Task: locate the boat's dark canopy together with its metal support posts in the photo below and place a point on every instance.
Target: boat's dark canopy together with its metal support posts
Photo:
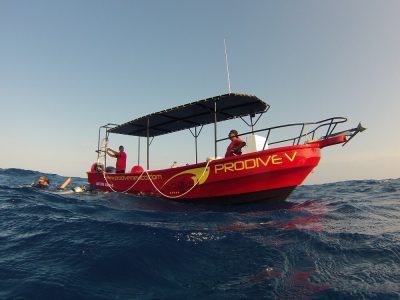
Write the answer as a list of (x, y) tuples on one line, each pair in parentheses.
[(189, 116)]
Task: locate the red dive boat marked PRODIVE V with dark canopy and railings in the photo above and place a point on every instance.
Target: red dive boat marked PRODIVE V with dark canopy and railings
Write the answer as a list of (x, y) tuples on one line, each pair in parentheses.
[(268, 169)]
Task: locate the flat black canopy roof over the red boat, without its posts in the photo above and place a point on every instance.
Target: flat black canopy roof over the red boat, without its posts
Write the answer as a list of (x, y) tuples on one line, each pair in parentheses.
[(197, 113)]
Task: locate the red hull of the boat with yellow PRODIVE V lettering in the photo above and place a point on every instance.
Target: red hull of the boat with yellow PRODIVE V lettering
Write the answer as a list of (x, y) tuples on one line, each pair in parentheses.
[(265, 175)]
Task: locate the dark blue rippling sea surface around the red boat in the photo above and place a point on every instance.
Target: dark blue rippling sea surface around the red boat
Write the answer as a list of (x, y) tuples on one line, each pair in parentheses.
[(330, 241)]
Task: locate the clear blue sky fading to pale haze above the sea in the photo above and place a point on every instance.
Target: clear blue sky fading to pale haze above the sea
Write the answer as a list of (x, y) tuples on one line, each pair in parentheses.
[(68, 67)]
